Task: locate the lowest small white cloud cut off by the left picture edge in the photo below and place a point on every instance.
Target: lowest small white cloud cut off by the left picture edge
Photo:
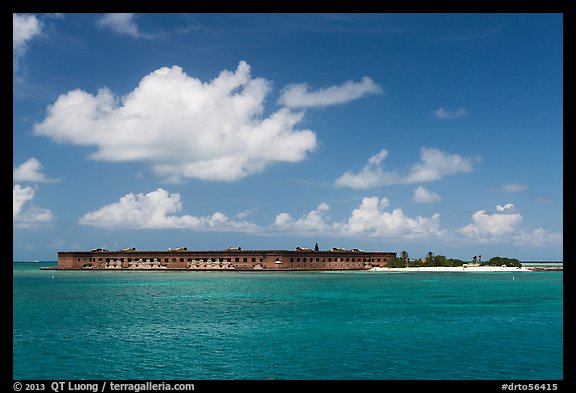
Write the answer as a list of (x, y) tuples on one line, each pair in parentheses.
[(31, 216)]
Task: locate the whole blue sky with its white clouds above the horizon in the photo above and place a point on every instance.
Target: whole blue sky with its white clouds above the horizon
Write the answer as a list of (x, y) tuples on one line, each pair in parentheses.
[(416, 132)]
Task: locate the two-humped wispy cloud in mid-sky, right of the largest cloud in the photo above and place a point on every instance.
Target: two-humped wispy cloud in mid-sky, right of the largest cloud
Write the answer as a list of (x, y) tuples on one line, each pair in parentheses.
[(434, 165)]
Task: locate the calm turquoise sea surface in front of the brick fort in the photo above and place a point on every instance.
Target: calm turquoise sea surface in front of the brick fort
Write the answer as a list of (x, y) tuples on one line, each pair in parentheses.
[(286, 325)]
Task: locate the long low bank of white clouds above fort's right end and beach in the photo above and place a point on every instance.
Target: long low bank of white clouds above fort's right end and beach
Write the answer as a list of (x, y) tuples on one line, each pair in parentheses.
[(375, 219)]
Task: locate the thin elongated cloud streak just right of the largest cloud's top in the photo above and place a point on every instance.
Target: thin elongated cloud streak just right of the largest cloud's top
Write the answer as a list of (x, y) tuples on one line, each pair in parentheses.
[(300, 95)]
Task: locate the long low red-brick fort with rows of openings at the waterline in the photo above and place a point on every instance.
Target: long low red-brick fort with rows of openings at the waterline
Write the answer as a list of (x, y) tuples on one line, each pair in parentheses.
[(229, 259)]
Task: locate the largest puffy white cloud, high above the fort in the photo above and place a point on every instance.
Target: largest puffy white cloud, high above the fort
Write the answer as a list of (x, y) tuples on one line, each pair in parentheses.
[(182, 127)]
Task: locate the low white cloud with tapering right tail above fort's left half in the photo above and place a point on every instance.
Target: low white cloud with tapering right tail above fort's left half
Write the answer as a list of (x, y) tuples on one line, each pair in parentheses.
[(156, 210)]
